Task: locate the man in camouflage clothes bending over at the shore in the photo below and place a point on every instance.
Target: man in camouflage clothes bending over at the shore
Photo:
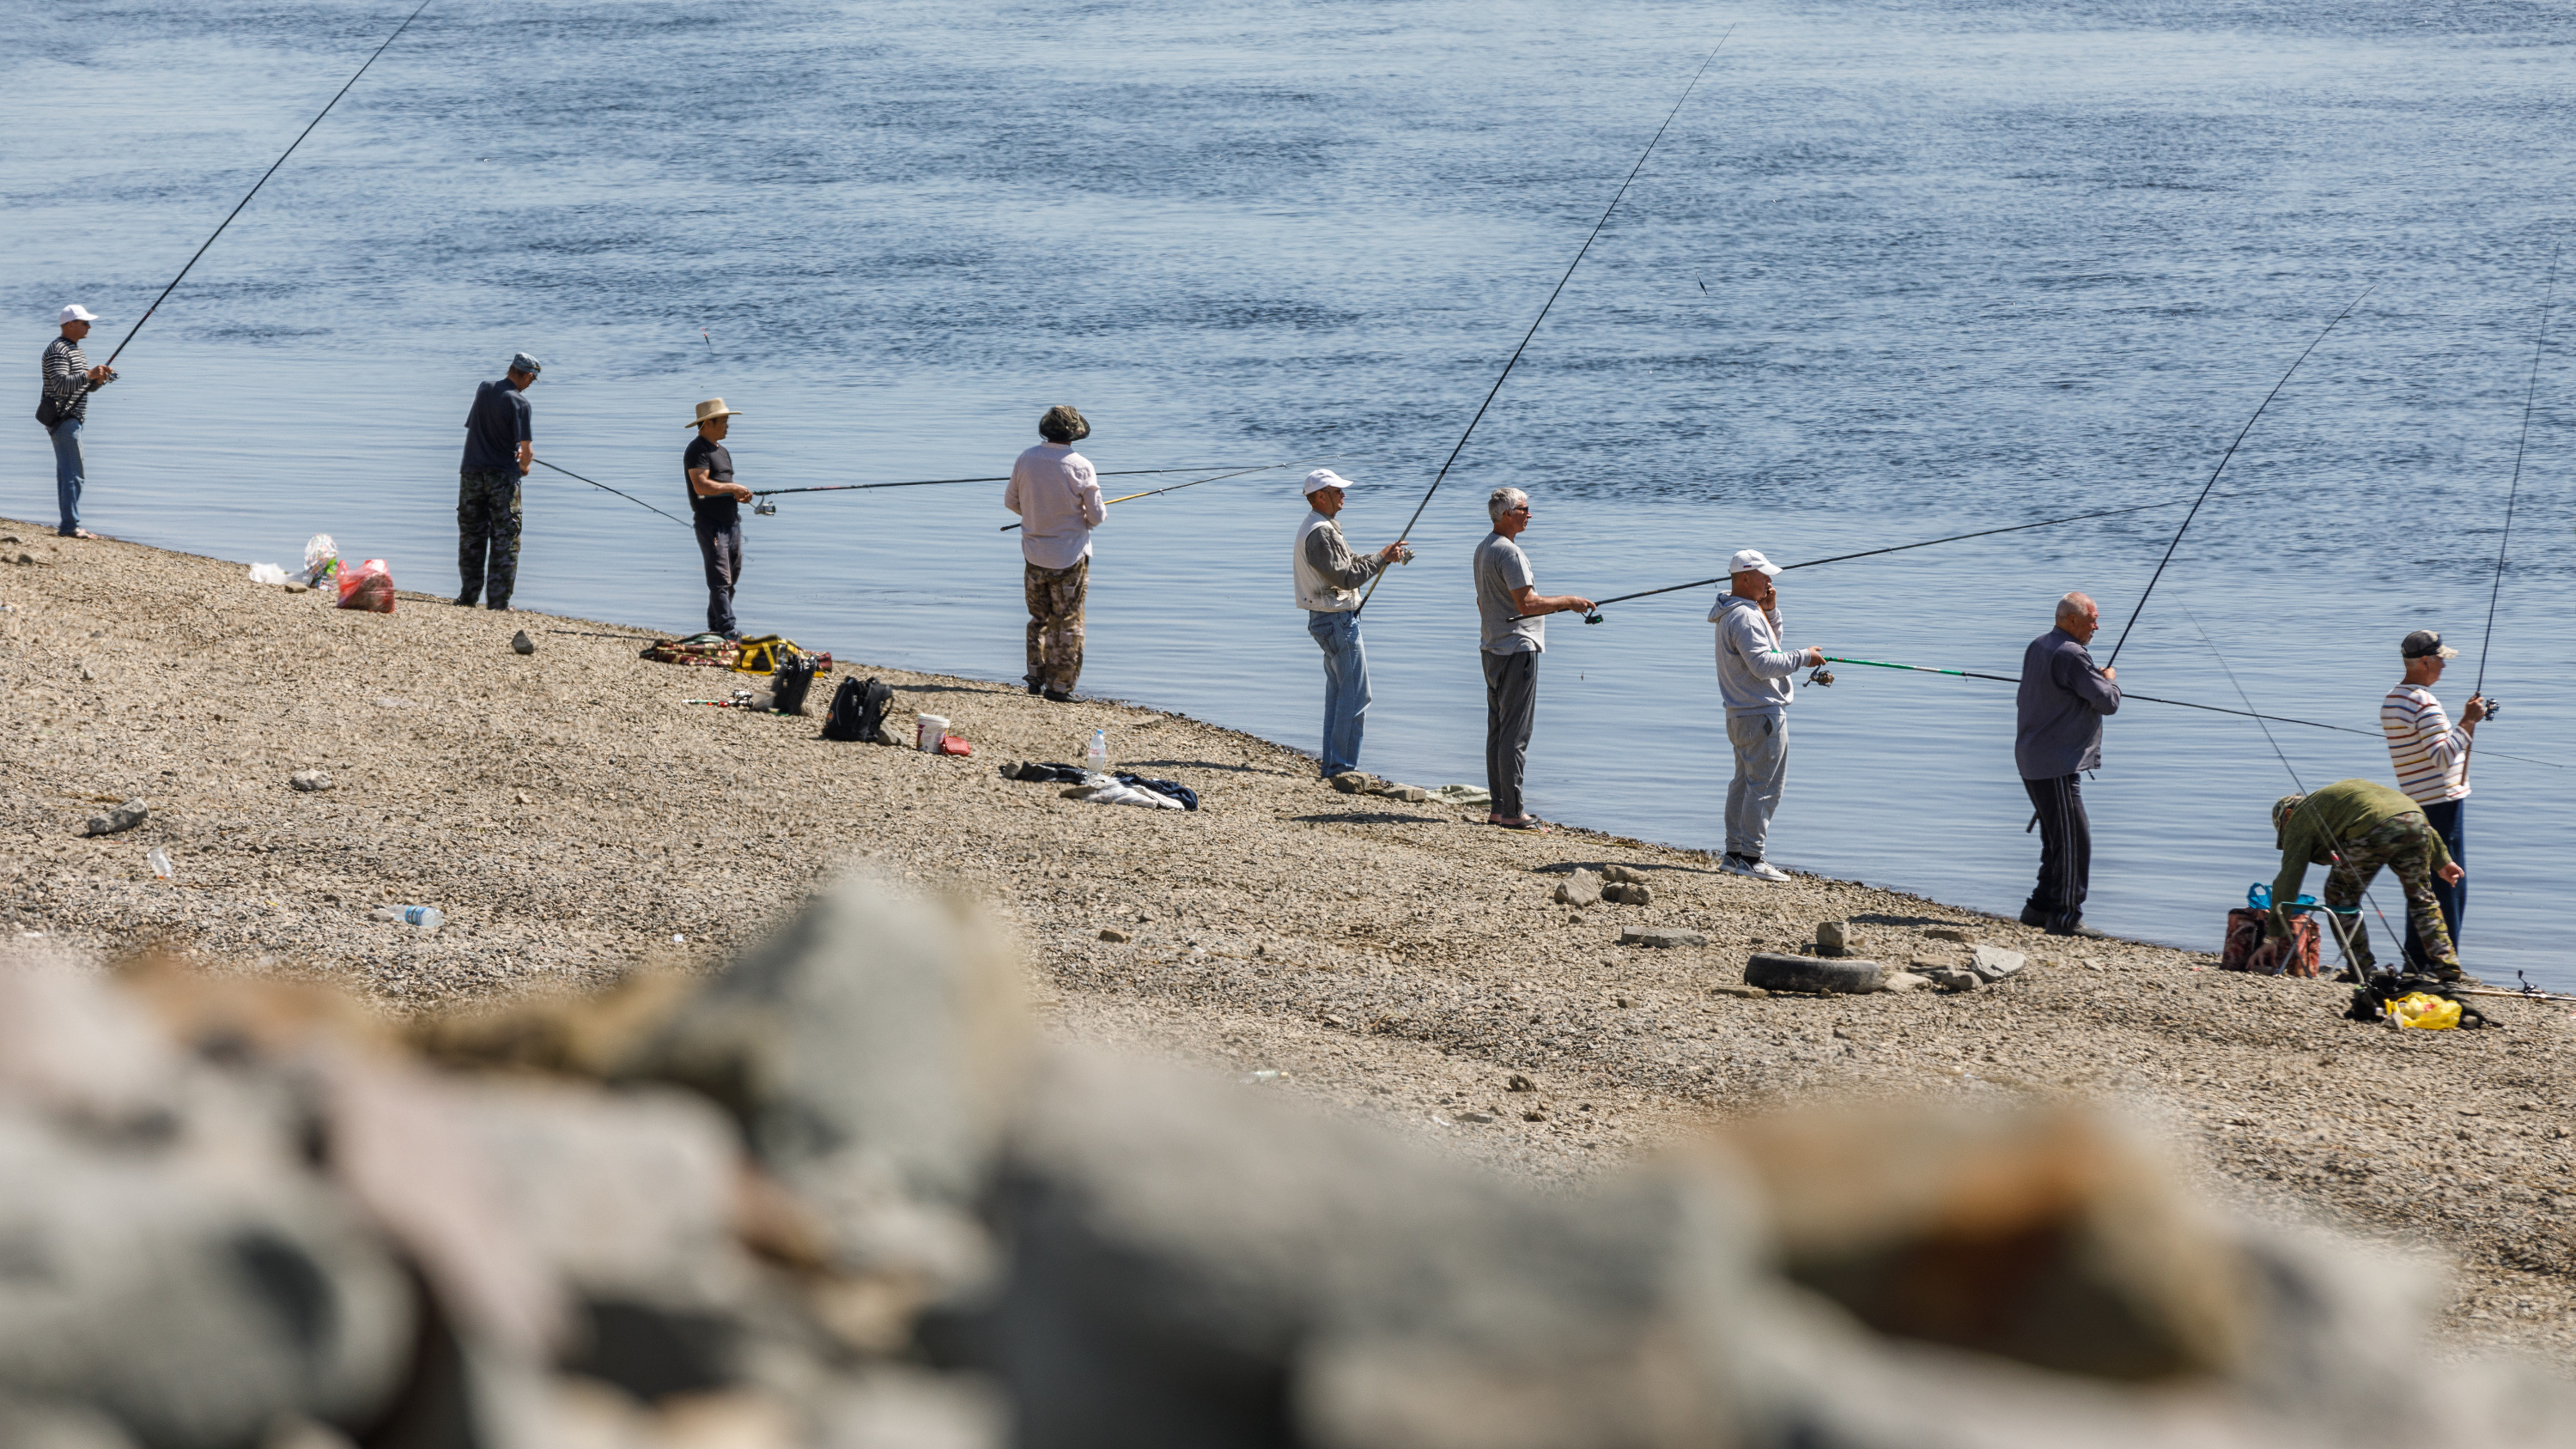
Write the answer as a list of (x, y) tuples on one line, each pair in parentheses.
[(2358, 827)]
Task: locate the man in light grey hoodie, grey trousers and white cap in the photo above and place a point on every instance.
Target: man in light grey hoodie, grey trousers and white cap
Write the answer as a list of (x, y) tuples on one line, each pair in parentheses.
[(1756, 681)]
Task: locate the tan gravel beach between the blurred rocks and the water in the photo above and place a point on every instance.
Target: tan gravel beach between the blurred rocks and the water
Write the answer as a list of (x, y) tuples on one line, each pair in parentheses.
[(576, 817)]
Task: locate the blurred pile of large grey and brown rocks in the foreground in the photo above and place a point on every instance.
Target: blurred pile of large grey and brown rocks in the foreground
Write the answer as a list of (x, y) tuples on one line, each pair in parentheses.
[(841, 1198)]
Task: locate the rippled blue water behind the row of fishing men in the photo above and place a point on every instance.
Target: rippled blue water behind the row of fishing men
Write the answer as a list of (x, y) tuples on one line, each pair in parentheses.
[(1900, 272)]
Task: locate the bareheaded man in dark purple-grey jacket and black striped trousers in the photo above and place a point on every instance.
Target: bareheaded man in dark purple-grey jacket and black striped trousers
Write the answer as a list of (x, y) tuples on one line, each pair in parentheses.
[(2062, 706)]
